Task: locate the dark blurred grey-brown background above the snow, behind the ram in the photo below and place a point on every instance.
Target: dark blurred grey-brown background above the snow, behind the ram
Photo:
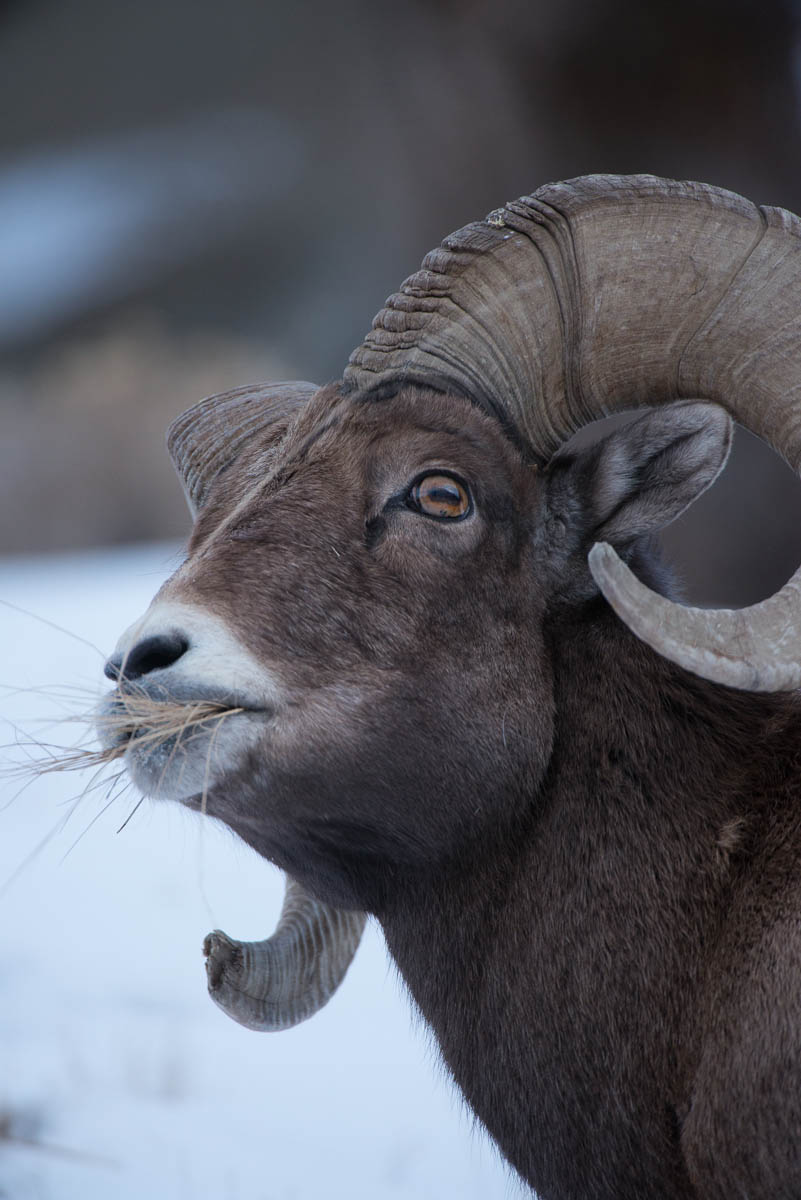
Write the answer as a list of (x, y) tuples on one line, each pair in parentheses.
[(196, 195)]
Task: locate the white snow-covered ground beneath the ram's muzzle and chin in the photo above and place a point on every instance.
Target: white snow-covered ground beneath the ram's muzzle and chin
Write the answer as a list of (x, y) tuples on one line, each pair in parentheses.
[(118, 1076)]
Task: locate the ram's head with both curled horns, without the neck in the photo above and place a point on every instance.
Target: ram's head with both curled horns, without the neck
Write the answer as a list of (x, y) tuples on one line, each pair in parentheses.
[(359, 622)]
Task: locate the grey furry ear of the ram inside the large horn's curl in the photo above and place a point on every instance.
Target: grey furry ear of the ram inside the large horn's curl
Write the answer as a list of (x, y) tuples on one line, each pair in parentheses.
[(642, 477)]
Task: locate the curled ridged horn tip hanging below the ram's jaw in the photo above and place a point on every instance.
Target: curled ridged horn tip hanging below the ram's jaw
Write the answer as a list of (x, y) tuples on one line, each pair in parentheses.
[(286, 980)]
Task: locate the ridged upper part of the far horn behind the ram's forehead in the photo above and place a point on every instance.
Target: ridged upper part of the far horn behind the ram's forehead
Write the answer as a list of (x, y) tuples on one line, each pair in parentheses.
[(208, 437)]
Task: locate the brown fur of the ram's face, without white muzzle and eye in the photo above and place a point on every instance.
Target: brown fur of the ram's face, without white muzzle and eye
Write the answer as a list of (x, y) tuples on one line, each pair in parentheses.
[(400, 640)]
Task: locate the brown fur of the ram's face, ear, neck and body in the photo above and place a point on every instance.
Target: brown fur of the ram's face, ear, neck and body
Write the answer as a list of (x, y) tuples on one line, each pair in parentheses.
[(586, 861)]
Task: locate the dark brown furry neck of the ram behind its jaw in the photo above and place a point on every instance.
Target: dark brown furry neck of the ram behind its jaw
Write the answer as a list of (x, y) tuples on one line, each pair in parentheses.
[(569, 950)]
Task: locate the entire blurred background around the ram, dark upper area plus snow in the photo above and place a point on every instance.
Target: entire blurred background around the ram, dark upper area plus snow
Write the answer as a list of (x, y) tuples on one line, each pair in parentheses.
[(196, 196)]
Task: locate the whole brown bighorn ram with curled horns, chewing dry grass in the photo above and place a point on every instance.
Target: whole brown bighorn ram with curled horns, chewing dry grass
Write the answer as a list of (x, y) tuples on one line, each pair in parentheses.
[(573, 803)]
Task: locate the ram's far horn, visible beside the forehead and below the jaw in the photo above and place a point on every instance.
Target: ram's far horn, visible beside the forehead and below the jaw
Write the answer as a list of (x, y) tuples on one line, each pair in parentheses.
[(287, 979)]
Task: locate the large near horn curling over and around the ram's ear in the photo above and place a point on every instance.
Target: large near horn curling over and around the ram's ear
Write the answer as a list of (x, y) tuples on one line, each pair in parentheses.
[(609, 293)]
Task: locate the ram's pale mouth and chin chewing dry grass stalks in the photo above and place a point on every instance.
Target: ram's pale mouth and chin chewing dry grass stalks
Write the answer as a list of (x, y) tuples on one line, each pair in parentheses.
[(177, 745)]
